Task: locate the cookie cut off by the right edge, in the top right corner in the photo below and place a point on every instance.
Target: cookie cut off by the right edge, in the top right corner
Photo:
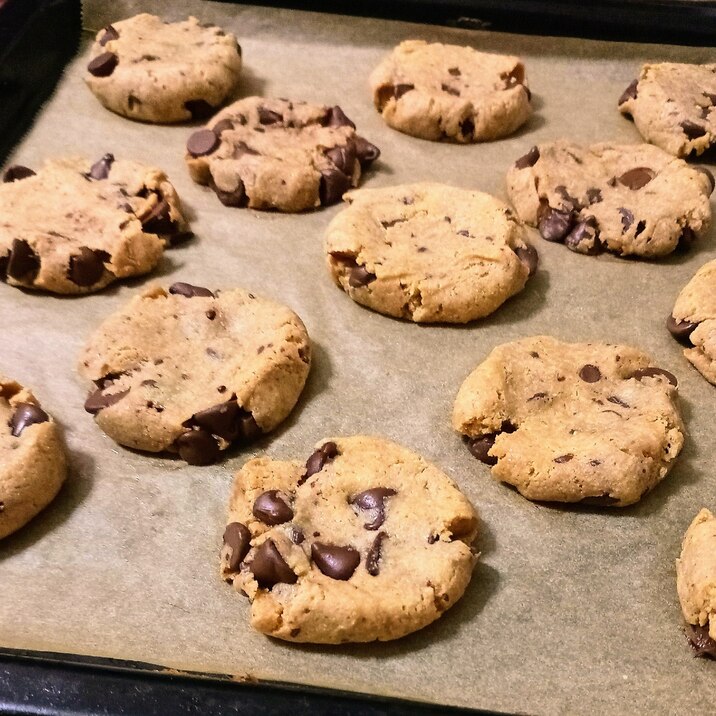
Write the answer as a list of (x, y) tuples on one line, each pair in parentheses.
[(671, 104)]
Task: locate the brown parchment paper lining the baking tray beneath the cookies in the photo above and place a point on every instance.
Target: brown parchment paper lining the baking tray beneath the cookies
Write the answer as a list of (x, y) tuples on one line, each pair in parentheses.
[(569, 611)]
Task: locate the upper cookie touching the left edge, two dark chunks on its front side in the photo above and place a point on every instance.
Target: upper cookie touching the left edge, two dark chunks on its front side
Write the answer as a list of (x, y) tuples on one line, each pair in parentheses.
[(75, 227)]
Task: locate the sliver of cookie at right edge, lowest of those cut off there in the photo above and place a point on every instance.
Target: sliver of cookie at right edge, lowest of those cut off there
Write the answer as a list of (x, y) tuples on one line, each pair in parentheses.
[(696, 583)]
